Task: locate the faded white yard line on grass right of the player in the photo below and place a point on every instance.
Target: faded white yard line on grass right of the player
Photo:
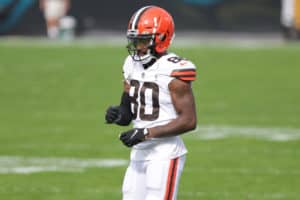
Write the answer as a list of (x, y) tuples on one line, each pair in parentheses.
[(214, 132)]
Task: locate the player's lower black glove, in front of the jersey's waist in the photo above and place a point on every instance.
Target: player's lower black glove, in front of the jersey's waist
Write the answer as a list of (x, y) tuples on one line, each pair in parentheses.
[(133, 136)]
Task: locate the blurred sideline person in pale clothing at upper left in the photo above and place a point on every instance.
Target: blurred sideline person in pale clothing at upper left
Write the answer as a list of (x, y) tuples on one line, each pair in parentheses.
[(53, 11)]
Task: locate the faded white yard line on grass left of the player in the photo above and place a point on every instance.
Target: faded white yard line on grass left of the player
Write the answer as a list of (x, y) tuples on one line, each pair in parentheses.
[(27, 165)]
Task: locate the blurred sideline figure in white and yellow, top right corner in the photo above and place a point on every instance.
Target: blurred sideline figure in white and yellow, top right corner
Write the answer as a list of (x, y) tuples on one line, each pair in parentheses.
[(290, 18)]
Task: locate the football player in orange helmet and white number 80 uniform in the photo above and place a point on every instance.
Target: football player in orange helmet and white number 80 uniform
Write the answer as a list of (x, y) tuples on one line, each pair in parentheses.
[(158, 99)]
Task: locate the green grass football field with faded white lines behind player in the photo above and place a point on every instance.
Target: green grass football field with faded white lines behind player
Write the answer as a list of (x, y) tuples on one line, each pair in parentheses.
[(53, 139)]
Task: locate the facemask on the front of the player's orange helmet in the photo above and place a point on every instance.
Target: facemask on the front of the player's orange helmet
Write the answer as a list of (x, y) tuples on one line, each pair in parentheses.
[(141, 47)]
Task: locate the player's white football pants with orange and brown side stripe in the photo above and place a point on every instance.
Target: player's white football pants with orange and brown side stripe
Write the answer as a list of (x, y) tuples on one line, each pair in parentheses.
[(153, 180)]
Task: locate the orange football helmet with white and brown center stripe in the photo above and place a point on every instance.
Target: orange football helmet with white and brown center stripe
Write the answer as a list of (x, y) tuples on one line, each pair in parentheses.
[(153, 27)]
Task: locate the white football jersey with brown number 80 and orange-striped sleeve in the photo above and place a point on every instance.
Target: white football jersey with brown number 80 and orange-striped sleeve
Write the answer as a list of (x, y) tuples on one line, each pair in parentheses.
[(151, 102)]
